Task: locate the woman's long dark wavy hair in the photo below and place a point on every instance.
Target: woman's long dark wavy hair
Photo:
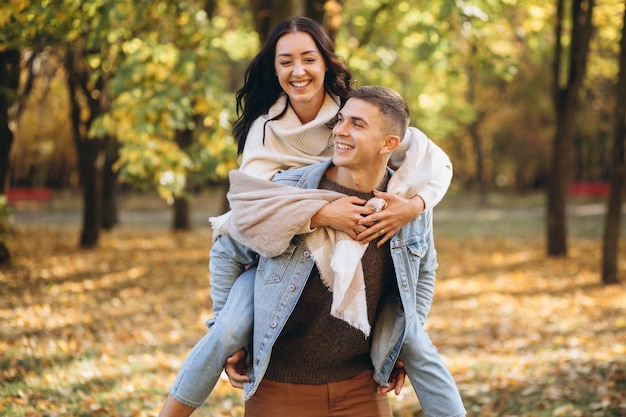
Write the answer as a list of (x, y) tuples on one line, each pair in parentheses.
[(261, 88)]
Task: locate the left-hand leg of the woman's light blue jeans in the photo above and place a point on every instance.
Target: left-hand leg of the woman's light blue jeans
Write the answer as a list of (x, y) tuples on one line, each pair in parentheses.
[(231, 331)]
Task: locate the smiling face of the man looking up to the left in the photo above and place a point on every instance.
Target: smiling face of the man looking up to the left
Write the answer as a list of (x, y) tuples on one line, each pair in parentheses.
[(358, 135)]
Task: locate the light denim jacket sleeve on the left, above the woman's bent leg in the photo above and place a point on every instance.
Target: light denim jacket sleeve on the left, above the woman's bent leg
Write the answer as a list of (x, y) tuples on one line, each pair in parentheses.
[(228, 260)]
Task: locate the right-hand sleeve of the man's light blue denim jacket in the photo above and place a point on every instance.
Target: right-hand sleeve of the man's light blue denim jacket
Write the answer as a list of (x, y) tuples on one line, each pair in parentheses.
[(425, 288)]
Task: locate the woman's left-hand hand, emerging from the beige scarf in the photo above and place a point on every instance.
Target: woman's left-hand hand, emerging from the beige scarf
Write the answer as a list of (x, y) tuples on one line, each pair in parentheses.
[(342, 214)]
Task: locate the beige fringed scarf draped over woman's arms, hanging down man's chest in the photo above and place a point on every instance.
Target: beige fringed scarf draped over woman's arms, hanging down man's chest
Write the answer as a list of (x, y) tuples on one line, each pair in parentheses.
[(268, 215)]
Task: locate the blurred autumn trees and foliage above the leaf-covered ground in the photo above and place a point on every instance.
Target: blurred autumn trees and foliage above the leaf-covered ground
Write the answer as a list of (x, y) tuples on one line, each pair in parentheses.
[(101, 97)]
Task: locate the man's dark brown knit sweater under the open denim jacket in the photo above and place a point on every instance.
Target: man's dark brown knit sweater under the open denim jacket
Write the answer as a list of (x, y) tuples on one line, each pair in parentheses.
[(315, 347)]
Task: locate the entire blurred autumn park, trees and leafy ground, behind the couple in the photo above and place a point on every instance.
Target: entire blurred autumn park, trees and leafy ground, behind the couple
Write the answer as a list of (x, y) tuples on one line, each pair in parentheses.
[(115, 145)]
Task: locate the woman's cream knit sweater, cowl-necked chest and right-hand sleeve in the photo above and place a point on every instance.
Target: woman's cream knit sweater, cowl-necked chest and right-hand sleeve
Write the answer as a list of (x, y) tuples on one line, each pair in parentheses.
[(287, 143)]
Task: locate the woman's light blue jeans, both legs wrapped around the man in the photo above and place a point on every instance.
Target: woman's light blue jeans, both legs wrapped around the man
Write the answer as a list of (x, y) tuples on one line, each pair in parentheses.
[(232, 330)]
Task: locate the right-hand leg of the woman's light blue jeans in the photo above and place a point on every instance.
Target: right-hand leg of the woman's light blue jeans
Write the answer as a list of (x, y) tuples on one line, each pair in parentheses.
[(431, 380)]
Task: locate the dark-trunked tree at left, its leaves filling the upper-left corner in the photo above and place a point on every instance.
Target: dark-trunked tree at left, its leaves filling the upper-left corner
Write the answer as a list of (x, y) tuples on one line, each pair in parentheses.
[(79, 31)]
